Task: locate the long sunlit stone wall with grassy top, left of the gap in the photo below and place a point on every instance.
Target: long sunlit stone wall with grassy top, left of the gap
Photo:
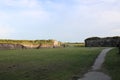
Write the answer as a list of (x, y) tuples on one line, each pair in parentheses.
[(29, 44)]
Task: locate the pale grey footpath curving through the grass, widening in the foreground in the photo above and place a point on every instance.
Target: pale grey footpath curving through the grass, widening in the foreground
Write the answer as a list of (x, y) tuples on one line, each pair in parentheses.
[(95, 74)]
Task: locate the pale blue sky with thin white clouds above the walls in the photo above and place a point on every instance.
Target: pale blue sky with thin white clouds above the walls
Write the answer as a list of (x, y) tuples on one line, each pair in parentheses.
[(62, 20)]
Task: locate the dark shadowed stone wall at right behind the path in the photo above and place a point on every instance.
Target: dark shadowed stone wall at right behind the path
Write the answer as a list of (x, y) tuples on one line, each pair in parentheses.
[(102, 42)]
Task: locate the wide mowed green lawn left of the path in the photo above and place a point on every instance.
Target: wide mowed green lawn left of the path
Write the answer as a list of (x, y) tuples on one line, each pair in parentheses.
[(46, 64)]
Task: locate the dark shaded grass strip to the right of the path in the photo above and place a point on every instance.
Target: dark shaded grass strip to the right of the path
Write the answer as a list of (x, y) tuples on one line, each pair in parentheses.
[(112, 64)]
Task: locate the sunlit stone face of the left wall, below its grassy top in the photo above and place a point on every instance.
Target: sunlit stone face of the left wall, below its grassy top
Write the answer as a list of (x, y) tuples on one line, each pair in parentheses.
[(53, 44)]
